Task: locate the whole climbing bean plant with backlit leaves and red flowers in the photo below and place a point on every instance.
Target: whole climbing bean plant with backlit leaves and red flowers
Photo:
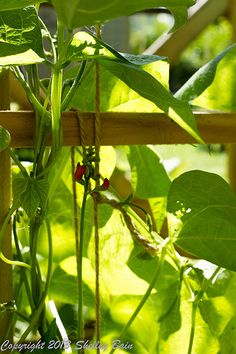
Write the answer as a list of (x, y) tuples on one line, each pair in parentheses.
[(151, 298)]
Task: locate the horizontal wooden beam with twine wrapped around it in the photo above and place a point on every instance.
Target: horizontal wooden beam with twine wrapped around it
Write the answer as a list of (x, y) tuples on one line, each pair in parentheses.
[(124, 128)]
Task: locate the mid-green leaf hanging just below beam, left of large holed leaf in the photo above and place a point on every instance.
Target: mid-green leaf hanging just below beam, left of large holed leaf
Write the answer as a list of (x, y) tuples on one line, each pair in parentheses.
[(149, 178)]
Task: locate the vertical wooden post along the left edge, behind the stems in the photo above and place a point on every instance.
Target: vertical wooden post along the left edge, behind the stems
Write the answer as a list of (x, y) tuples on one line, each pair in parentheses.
[(6, 292)]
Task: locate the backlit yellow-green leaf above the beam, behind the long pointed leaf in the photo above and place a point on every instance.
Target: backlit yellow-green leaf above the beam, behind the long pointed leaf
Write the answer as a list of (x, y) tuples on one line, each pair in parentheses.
[(117, 96)]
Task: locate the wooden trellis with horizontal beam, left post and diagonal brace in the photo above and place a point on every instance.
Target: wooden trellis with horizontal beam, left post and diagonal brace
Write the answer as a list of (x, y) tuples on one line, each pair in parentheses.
[(118, 128)]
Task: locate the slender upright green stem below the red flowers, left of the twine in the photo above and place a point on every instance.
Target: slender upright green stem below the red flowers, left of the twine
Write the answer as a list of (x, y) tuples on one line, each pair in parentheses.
[(79, 258)]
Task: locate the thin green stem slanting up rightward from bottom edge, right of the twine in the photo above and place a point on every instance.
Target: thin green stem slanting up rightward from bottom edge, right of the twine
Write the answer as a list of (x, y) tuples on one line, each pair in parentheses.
[(147, 294)]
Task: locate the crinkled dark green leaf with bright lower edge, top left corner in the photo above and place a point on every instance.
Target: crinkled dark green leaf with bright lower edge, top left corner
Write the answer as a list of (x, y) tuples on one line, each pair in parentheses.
[(20, 37)]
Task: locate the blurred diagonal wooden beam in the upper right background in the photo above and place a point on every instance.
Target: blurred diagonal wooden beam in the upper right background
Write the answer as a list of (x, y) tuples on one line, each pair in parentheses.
[(203, 13)]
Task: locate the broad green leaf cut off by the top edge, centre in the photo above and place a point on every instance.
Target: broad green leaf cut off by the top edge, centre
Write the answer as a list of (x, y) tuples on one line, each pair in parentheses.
[(77, 13)]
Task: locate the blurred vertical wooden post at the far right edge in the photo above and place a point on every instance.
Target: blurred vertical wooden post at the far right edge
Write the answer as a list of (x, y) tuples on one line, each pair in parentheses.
[(232, 147)]
